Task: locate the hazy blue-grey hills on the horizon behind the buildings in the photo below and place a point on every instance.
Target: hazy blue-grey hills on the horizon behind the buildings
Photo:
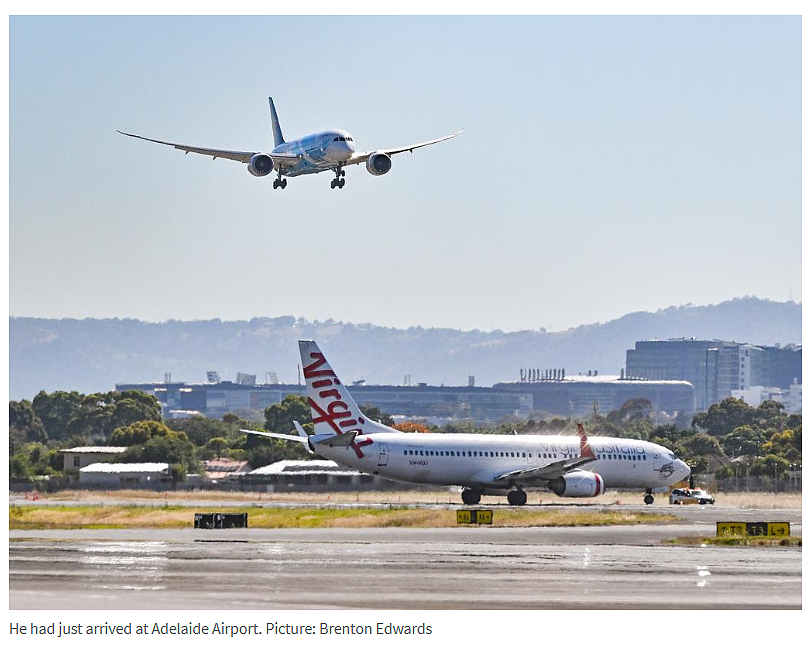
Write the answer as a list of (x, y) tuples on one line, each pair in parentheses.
[(94, 354)]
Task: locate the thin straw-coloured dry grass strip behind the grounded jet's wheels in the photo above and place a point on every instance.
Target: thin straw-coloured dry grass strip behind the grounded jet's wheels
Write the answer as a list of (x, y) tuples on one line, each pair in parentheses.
[(438, 497)]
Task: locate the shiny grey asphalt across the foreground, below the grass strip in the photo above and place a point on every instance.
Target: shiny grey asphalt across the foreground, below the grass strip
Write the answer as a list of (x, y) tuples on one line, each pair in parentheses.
[(465, 568)]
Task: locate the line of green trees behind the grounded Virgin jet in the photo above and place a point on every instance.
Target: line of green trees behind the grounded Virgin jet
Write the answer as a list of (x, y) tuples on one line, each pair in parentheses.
[(730, 438)]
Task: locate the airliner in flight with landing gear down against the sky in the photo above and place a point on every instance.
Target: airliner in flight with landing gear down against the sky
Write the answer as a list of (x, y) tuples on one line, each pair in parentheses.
[(318, 152)]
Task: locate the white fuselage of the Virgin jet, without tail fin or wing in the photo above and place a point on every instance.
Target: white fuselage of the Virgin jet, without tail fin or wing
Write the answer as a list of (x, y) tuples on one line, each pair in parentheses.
[(473, 459)]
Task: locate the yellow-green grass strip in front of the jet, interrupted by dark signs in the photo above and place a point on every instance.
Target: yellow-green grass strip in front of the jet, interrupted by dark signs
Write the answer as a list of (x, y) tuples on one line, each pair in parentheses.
[(169, 517)]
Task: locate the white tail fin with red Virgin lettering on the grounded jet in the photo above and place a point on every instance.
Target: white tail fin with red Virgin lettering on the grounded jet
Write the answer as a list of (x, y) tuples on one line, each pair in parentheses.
[(333, 409)]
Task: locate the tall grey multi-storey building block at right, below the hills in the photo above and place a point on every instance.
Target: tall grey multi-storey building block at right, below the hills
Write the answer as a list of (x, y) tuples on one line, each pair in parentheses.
[(716, 368)]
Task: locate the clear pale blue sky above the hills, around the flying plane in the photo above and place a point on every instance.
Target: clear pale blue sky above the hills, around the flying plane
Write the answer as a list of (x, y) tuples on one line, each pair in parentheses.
[(608, 165)]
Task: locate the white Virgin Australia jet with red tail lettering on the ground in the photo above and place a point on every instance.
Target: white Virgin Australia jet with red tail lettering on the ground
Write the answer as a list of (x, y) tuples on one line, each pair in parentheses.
[(481, 463)]
